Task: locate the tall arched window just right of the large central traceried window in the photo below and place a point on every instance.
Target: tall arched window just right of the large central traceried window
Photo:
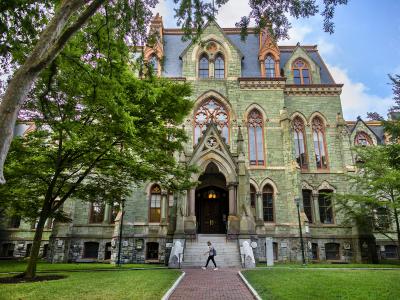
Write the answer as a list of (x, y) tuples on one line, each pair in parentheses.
[(256, 141)]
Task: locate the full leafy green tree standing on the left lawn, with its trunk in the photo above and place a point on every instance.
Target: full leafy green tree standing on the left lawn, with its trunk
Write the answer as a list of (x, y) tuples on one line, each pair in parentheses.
[(99, 129)]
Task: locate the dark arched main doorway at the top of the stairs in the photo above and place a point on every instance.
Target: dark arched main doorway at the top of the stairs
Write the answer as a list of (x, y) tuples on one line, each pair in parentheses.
[(212, 203)]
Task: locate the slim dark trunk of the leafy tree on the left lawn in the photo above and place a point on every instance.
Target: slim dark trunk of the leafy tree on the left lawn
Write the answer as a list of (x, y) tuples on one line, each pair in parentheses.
[(30, 271)]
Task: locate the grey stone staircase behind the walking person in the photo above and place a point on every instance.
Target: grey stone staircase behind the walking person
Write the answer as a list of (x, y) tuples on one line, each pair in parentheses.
[(227, 251)]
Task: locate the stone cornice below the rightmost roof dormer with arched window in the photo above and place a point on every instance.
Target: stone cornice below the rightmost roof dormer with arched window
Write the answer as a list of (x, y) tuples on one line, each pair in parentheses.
[(313, 90)]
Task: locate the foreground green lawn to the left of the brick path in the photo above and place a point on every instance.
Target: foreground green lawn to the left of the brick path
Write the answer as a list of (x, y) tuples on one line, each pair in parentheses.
[(136, 284)]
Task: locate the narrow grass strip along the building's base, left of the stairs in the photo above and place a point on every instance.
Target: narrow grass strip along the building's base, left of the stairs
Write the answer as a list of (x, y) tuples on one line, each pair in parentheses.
[(18, 266)]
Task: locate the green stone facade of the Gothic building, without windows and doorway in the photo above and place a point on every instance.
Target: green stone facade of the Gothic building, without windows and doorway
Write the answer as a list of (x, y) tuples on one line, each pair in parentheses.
[(279, 101)]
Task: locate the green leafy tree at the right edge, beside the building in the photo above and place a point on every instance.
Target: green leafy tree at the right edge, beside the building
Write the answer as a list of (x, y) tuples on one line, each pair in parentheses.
[(377, 184)]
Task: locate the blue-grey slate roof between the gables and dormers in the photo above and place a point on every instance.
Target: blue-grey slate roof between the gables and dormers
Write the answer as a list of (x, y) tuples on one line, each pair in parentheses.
[(174, 46)]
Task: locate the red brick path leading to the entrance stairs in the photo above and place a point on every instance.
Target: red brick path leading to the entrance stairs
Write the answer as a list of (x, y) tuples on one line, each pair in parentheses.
[(209, 285)]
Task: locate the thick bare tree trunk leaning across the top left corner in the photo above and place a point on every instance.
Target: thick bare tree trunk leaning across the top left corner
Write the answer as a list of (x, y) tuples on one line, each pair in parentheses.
[(51, 42)]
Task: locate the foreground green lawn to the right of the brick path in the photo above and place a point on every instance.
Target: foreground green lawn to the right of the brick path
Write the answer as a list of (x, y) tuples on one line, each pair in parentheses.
[(325, 284)]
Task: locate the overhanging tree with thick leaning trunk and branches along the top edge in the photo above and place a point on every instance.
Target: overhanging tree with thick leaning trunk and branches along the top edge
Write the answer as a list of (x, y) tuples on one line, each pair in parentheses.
[(32, 34)]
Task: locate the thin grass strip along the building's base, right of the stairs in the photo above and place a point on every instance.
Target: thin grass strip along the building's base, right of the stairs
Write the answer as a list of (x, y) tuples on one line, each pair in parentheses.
[(384, 264)]
